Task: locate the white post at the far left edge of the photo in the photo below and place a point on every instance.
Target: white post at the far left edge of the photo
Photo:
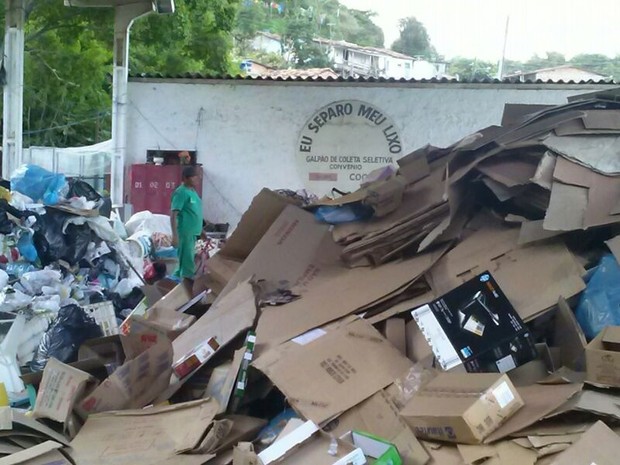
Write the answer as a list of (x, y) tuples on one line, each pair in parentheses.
[(12, 126)]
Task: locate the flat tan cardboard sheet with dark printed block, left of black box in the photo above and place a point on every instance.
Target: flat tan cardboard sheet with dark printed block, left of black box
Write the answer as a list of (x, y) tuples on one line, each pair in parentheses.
[(333, 373)]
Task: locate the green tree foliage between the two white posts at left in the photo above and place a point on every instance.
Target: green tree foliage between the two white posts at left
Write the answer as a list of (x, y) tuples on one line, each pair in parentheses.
[(67, 60)]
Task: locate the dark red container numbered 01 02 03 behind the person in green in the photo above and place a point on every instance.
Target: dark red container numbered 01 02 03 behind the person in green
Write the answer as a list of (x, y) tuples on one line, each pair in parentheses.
[(150, 187)]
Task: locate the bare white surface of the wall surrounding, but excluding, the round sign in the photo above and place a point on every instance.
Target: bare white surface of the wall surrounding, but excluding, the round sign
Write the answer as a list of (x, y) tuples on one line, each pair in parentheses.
[(246, 132)]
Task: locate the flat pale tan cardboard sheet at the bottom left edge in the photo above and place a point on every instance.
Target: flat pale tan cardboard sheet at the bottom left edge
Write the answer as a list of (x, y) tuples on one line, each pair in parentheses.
[(143, 436)]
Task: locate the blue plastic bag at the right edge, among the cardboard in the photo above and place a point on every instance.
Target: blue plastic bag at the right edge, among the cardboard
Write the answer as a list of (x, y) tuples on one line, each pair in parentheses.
[(599, 305)]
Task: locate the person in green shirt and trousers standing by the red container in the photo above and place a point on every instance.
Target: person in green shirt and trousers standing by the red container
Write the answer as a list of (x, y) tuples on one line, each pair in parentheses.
[(186, 222)]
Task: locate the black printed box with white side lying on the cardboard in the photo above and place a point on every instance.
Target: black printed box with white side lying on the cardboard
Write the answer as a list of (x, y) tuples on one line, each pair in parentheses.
[(476, 326)]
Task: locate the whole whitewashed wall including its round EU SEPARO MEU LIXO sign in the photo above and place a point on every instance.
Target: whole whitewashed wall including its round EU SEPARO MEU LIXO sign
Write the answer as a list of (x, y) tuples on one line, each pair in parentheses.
[(250, 134)]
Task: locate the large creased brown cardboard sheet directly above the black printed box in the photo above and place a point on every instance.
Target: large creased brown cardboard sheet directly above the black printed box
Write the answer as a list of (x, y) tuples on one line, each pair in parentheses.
[(532, 277)]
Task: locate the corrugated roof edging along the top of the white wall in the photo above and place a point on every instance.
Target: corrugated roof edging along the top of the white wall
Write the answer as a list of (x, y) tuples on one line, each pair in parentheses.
[(292, 76)]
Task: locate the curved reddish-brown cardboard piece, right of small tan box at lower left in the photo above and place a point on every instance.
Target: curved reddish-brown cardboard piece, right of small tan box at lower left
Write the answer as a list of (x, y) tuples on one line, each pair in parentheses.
[(135, 384)]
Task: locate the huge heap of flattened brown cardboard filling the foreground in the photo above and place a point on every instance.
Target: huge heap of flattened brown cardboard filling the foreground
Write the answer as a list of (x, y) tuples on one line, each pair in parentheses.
[(461, 309)]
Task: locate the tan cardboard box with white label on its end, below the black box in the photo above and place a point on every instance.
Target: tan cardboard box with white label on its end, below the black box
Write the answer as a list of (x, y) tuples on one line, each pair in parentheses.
[(462, 408)]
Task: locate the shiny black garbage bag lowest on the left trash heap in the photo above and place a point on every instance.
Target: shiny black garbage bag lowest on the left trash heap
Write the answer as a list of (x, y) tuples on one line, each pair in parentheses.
[(71, 328)]
